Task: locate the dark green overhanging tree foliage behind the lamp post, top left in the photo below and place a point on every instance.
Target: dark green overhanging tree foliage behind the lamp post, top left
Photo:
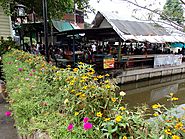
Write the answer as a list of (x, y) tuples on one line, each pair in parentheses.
[(56, 8)]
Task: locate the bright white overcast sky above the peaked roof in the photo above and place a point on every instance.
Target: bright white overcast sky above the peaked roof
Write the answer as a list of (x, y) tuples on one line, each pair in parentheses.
[(124, 9)]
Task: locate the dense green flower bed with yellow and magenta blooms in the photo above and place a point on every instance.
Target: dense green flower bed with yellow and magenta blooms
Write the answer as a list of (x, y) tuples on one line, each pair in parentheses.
[(75, 103)]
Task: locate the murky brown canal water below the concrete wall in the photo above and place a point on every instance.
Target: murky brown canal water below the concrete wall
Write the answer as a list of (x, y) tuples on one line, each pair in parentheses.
[(154, 91)]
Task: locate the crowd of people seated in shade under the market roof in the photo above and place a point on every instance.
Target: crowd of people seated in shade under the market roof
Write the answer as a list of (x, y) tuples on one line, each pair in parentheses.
[(92, 52)]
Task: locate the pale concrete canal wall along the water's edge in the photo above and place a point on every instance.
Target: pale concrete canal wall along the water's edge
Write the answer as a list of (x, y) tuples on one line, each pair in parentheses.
[(135, 75)]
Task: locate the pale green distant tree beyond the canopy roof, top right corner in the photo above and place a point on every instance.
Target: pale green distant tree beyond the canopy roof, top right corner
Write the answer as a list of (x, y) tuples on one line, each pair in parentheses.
[(173, 10)]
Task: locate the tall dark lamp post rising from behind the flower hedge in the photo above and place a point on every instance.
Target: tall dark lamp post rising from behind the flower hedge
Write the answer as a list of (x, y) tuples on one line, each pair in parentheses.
[(44, 2)]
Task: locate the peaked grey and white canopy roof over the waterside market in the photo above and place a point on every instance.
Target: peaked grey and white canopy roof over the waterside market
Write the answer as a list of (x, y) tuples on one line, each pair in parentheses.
[(135, 30)]
